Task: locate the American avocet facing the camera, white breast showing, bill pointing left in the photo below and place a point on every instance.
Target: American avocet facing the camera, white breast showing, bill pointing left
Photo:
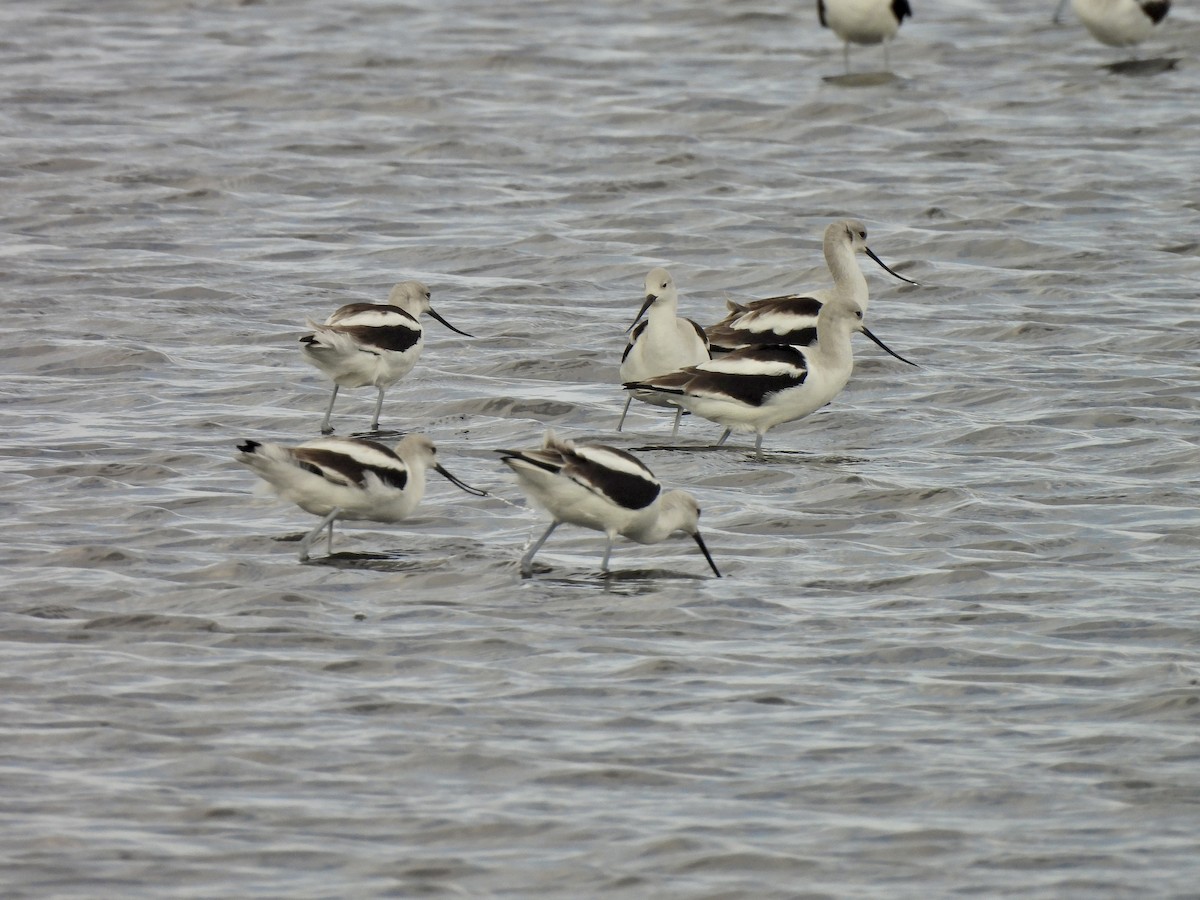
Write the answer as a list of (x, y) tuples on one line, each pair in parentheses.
[(662, 344)]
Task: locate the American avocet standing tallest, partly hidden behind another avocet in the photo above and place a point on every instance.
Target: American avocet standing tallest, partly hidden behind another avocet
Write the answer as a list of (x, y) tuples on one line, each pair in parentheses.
[(793, 319)]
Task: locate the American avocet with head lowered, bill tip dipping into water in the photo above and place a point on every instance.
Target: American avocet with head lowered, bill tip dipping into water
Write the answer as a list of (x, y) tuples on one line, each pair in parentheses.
[(605, 490)]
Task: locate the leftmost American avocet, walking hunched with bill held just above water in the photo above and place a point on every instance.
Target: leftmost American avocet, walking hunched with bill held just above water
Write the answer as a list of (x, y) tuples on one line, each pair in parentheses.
[(349, 478)]
